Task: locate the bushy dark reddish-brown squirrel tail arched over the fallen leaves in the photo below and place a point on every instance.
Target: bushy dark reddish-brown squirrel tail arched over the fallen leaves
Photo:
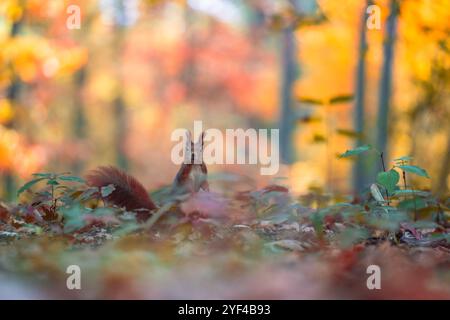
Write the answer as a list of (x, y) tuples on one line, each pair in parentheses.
[(128, 192)]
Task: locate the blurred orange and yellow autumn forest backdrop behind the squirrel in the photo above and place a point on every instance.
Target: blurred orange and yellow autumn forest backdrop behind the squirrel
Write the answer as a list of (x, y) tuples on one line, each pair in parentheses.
[(112, 91)]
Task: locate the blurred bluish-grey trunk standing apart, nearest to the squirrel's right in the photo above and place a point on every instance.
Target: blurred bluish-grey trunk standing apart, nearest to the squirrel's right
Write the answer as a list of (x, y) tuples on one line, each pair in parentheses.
[(288, 71)]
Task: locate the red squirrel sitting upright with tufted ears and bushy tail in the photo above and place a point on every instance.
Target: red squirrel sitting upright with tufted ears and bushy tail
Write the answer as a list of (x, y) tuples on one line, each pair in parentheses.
[(131, 194)]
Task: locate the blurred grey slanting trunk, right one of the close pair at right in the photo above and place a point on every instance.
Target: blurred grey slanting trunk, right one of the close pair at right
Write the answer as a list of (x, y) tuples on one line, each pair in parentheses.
[(386, 79)]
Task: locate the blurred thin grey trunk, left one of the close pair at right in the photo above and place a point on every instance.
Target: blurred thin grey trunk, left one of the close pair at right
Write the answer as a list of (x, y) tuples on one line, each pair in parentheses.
[(359, 179)]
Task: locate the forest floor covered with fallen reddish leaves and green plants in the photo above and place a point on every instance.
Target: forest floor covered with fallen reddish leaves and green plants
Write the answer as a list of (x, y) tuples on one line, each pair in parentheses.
[(261, 244)]
